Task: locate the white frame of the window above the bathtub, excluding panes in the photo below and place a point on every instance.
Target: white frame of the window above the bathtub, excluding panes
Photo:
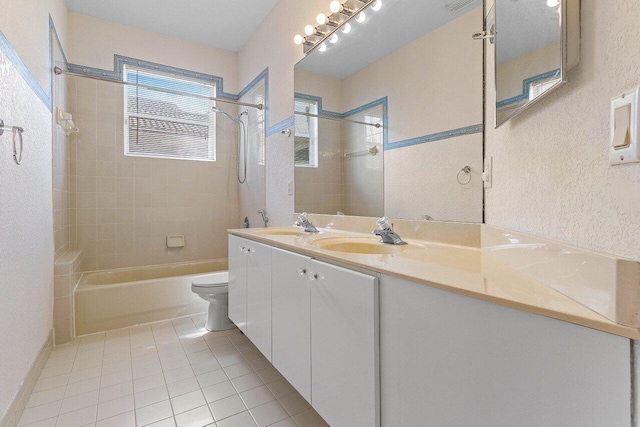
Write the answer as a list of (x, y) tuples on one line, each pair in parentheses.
[(212, 116)]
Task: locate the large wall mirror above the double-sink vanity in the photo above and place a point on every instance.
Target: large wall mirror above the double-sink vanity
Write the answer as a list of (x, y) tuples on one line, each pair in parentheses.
[(389, 118)]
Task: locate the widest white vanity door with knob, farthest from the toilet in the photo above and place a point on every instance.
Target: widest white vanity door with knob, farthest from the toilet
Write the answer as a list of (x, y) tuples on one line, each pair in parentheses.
[(344, 346)]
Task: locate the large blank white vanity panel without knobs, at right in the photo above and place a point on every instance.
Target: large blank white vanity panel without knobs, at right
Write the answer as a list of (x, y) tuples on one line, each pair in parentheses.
[(451, 360)]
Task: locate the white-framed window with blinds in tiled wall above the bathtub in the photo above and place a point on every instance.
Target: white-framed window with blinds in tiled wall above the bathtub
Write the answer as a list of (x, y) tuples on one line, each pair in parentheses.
[(168, 125)]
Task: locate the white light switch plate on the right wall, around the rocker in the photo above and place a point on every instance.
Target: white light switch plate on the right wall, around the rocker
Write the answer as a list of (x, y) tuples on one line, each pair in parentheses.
[(630, 153)]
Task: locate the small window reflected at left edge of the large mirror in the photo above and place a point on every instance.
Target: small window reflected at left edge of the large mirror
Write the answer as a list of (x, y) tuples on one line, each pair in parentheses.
[(306, 135)]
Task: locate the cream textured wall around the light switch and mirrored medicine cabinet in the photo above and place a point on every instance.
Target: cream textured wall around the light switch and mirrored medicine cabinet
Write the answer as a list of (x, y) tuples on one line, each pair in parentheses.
[(551, 175)]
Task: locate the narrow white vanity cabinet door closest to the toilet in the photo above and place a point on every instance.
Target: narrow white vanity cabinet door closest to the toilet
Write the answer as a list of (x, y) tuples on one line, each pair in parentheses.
[(238, 282)]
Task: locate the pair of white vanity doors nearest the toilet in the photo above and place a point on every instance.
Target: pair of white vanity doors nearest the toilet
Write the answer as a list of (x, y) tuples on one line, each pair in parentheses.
[(250, 291)]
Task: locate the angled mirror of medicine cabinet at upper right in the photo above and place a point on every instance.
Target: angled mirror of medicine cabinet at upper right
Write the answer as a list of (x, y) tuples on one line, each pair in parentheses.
[(537, 42)]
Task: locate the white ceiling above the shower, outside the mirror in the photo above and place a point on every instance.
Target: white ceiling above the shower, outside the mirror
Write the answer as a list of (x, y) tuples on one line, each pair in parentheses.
[(223, 24)]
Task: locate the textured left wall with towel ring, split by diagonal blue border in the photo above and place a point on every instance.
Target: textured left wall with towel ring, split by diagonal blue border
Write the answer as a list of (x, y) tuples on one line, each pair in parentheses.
[(26, 220)]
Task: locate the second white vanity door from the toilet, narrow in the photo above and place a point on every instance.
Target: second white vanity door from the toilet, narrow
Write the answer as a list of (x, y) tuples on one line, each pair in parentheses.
[(259, 296)]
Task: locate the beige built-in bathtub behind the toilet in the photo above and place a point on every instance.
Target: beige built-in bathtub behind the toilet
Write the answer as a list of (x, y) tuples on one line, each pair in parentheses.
[(123, 297)]
